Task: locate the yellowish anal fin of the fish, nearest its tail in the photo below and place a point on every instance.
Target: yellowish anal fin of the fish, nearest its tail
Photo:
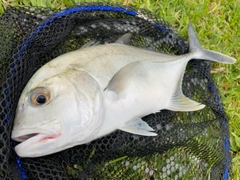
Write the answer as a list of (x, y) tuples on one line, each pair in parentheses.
[(179, 102)]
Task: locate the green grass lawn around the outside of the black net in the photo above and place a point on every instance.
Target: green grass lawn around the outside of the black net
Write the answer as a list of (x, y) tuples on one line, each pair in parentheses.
[(217, 25)]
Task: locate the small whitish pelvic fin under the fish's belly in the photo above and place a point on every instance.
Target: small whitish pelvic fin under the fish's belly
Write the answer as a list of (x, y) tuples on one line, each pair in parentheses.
[(138, 126)]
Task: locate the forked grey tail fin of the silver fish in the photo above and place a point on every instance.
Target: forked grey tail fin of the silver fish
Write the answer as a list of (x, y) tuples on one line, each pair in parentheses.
[(200, 53)]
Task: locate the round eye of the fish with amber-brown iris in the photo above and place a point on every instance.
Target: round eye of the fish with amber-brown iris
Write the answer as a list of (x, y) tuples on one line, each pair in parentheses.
[(40, 96)]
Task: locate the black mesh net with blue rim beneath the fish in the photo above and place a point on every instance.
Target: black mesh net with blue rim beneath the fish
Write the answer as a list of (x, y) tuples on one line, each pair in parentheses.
[(189, 145)]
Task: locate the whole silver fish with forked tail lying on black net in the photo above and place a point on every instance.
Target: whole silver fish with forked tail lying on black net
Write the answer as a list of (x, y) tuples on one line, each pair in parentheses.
[(91, 92)]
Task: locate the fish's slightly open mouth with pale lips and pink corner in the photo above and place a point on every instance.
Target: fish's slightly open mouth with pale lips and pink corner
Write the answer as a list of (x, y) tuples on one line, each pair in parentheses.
[(35, 141)]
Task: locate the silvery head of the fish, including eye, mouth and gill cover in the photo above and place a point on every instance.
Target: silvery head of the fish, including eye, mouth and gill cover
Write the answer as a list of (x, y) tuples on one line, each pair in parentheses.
[(58, 113)]
